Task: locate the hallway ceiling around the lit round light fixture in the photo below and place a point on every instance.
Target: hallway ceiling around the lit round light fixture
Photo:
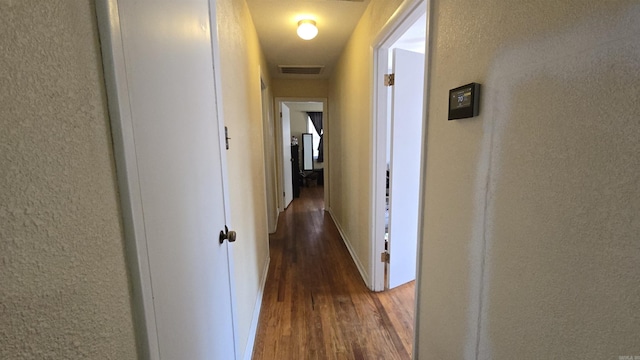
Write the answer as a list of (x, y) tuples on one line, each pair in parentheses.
[(276, 22)]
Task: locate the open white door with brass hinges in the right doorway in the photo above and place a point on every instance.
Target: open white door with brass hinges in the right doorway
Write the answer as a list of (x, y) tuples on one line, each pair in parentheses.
[(404, 166)]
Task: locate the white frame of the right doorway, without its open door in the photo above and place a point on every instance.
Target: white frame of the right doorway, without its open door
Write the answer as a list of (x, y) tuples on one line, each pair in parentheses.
[(408, 12)]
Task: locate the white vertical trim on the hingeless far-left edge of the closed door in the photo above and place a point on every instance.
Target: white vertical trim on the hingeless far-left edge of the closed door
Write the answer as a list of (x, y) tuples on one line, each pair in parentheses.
[(115, 77)]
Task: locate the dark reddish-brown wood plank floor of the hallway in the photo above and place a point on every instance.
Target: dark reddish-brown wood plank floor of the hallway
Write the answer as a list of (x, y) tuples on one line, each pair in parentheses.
[(315, 304)]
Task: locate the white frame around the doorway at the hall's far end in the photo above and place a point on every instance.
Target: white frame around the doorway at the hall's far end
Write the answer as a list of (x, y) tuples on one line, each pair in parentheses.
[(279, 141)]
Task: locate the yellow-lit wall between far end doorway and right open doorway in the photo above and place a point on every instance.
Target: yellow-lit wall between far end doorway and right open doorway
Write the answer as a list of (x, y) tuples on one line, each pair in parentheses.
[(350, 131)]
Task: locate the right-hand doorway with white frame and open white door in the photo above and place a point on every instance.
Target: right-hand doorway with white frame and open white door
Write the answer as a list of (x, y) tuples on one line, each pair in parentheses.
[(398, 146)]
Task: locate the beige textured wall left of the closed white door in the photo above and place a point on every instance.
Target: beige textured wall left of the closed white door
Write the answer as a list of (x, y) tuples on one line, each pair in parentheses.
[(64, 292)]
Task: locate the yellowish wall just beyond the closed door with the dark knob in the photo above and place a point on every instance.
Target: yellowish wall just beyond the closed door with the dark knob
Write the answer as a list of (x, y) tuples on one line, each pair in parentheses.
[(242, 61)]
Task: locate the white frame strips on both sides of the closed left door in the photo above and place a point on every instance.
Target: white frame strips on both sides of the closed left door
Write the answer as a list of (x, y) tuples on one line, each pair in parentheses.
[(113, 58)]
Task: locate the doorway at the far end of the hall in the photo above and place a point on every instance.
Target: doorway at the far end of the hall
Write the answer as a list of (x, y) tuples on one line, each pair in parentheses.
[(293, 123)]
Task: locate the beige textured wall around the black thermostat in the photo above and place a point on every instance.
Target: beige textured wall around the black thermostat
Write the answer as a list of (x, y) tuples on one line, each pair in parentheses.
[(531, 245)]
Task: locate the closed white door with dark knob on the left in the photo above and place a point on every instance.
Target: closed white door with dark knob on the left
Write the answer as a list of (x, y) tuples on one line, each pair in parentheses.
[(169, 67)]
